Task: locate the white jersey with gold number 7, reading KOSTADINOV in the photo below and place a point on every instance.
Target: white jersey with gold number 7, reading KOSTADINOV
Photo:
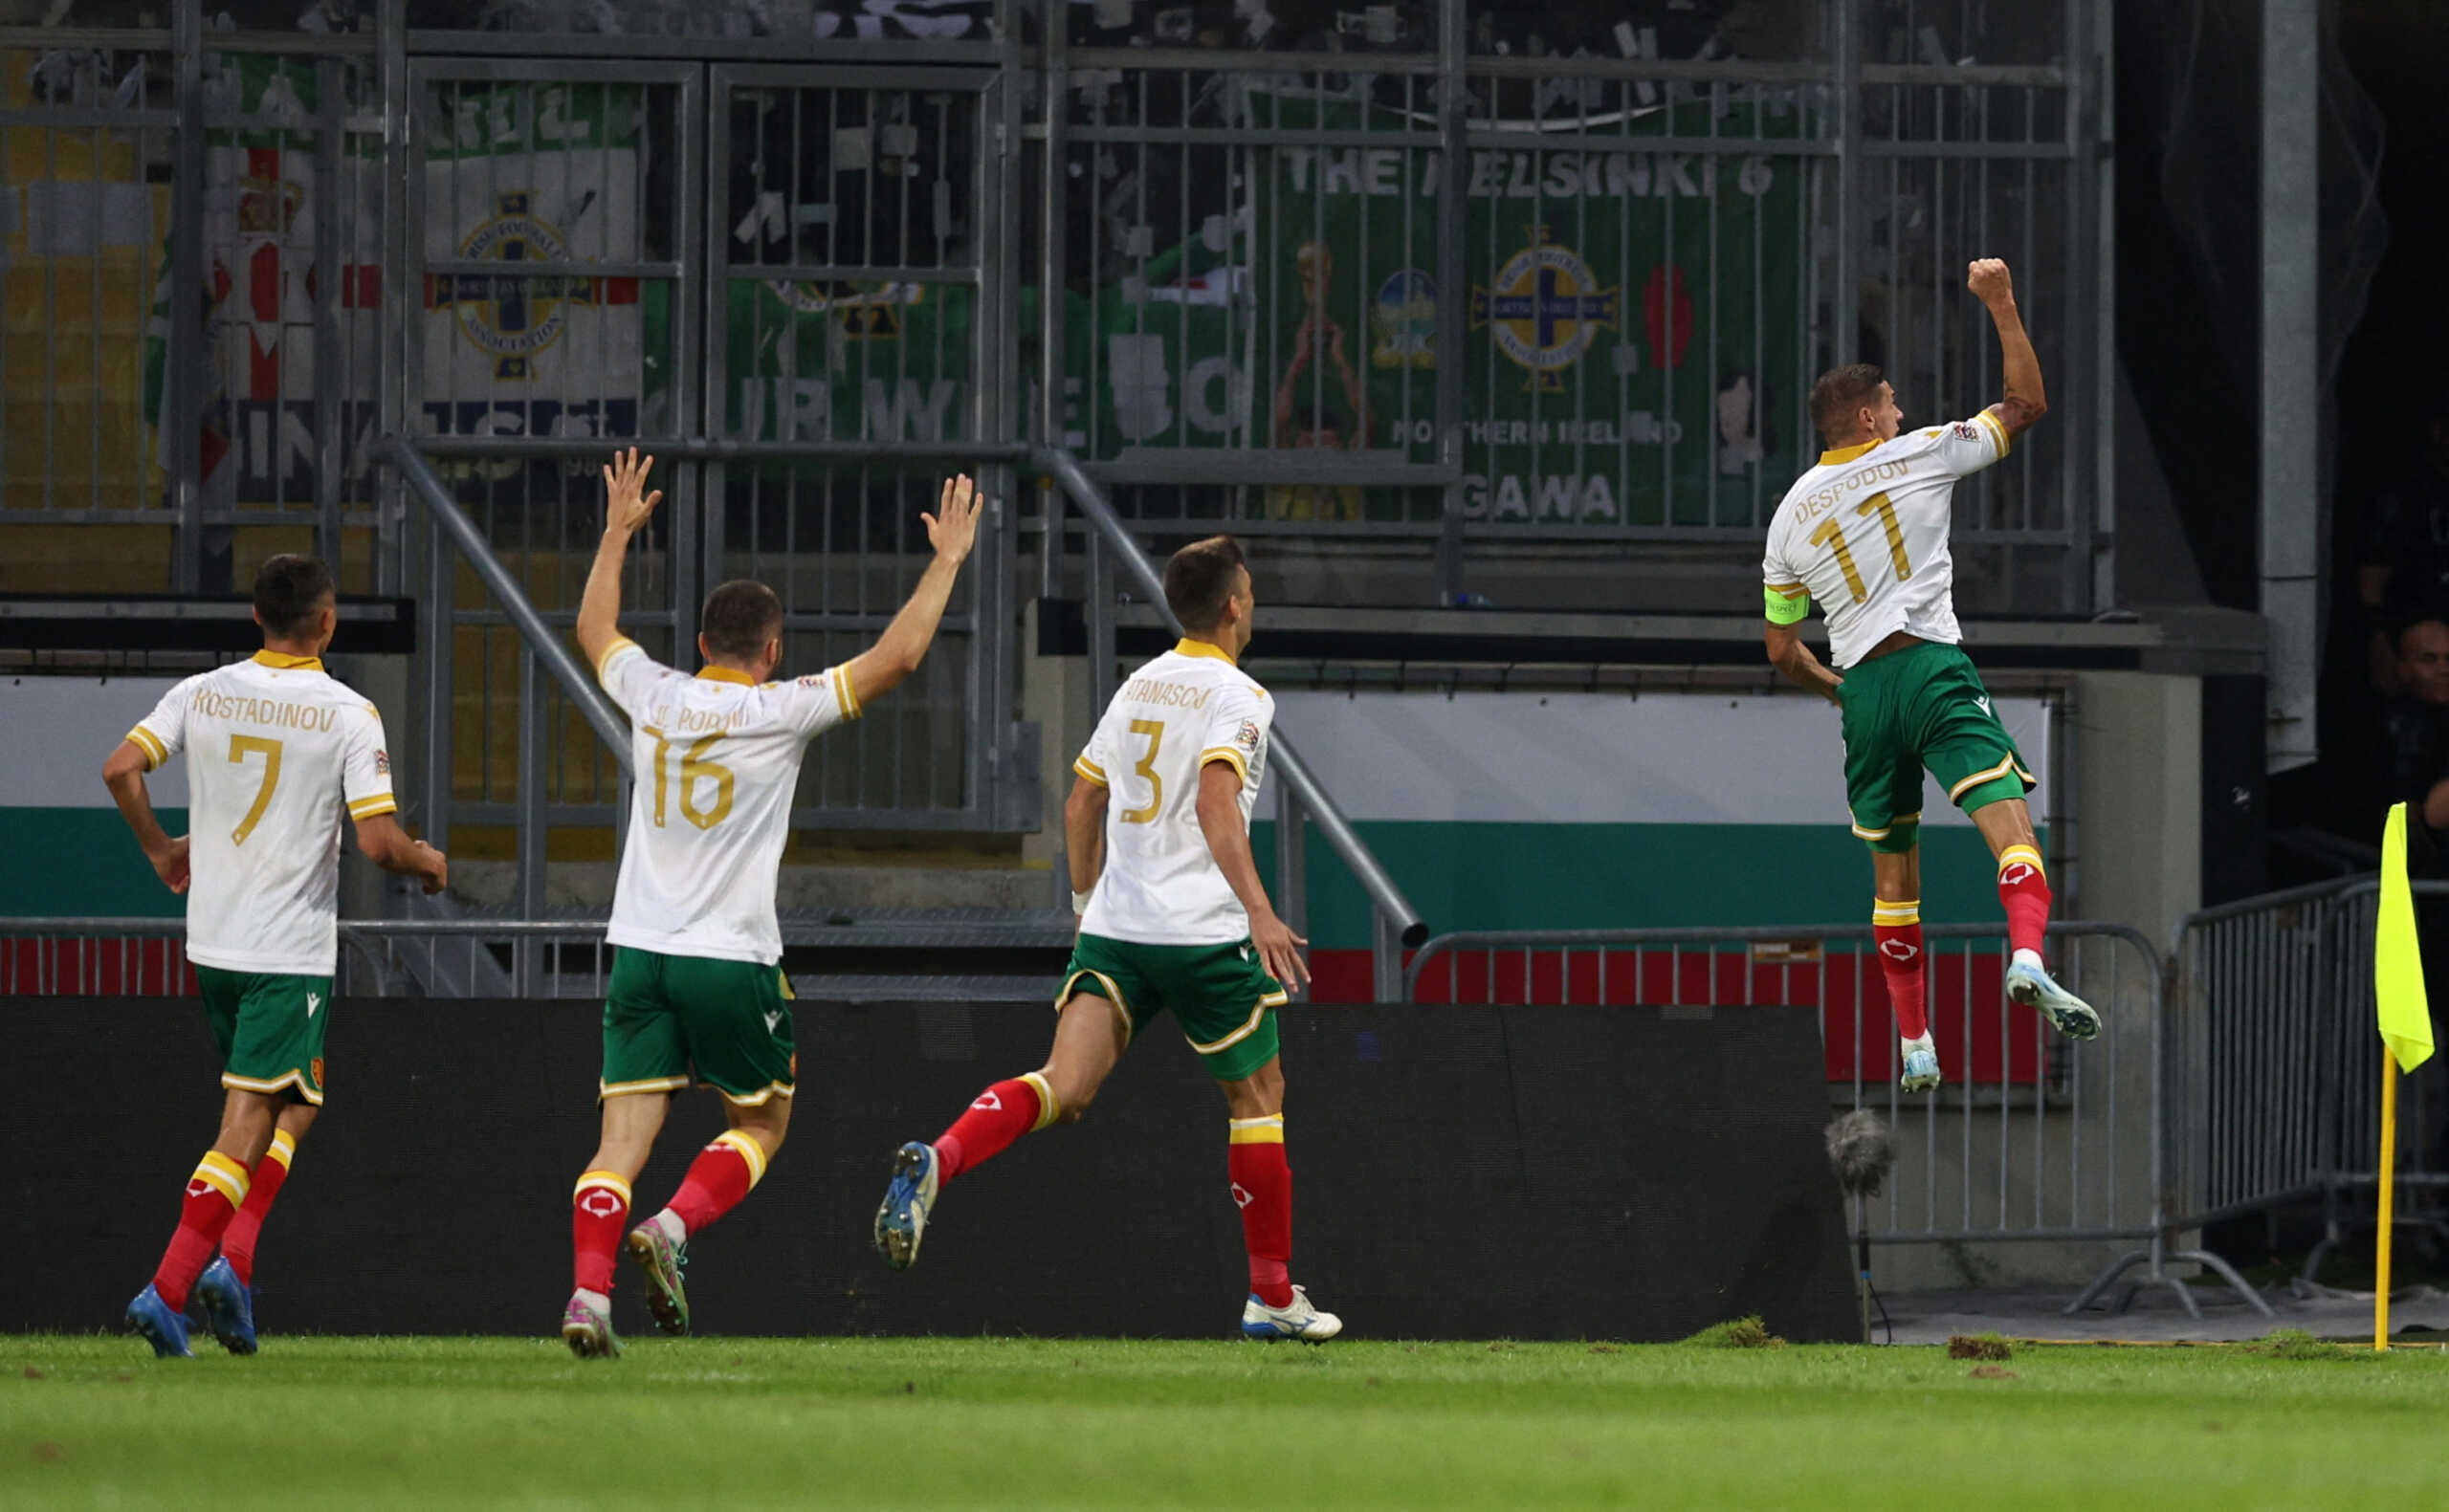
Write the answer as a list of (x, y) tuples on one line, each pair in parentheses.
[(278, 755)]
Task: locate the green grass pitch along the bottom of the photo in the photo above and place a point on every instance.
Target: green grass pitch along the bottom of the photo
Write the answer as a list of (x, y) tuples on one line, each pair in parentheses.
[(1008, 1423)]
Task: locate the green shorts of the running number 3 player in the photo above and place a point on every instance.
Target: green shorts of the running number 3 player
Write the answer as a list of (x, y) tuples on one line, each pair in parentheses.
[(1221, 995)]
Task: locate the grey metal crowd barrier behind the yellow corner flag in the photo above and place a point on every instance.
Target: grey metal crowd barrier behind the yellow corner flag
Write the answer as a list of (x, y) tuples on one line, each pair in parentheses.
[(2279, 1100)]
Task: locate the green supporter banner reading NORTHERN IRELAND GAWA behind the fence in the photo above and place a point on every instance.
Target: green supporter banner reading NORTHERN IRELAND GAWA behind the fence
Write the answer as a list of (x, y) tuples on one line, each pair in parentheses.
[(1630, 319)]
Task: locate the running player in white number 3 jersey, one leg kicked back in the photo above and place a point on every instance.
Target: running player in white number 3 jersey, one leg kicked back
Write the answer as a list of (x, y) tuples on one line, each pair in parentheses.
[(1174, 916)]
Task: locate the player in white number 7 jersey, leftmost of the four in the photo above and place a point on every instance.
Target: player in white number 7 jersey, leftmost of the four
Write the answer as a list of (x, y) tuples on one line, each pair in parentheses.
[(278, 755)]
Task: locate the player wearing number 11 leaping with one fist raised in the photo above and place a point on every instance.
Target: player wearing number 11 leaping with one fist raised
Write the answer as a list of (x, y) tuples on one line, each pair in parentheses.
[(1865, 532)]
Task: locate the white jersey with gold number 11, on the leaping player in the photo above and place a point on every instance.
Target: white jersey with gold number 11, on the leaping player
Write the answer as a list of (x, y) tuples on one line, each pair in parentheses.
[(1867, 535)]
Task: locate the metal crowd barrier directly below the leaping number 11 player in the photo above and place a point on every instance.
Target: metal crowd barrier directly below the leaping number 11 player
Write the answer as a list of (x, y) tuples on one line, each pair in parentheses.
[(2031, 1139)]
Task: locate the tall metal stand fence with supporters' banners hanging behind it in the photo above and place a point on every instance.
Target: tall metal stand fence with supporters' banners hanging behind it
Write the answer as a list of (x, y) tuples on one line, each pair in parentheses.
[(1414, 280)]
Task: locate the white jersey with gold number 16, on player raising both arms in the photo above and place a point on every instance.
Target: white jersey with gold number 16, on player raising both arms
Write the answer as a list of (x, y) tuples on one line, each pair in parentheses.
[(716, 765)]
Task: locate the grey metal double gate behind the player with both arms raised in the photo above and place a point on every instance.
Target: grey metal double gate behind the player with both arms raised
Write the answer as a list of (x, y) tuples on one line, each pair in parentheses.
[(802, 361)]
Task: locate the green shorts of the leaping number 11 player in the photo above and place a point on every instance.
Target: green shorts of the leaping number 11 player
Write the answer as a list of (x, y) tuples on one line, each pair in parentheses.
[(1916, 708)]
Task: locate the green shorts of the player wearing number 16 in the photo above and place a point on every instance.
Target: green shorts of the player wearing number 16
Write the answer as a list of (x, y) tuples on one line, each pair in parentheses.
[(680, 1021)]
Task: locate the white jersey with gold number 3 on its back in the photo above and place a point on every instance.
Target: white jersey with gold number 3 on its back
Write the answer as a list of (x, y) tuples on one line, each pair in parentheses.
[(1179, 713)]
